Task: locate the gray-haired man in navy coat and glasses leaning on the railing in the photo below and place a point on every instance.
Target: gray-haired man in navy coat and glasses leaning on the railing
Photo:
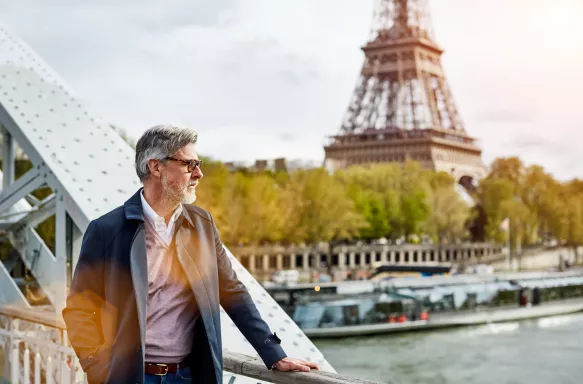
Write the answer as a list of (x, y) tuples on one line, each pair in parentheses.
[(151, 274)]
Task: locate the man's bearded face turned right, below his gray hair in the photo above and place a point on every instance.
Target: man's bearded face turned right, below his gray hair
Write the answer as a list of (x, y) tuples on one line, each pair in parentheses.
[(179, 185)]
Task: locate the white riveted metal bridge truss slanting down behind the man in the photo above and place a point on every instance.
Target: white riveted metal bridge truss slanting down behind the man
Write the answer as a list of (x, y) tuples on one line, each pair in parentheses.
[(89, 169)]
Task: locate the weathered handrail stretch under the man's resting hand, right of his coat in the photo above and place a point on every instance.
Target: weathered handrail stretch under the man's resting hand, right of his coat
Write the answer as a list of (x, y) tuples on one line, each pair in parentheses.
[(254, 368)]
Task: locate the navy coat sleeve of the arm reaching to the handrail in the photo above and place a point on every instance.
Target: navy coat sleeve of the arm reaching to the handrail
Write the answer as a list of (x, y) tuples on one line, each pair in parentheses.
[(237, 302)]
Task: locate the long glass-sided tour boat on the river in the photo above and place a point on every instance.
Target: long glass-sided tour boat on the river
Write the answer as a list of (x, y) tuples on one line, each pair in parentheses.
[(397, 305)]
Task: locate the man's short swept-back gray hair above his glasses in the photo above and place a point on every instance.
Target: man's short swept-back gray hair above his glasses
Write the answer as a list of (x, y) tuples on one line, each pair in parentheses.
[(158, 143)]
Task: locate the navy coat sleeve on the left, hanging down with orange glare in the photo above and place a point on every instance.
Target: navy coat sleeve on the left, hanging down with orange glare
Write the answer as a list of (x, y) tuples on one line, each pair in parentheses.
[(86, 299)]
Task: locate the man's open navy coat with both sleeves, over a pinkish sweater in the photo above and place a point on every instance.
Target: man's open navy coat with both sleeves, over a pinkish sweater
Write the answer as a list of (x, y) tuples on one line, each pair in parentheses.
[(107, 304)]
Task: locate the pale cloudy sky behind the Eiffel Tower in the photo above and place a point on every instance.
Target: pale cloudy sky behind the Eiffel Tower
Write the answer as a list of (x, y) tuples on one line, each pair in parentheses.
[(261, 79)]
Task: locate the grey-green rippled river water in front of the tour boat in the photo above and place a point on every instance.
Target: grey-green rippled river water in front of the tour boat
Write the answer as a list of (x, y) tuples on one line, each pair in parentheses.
[(542, 351)]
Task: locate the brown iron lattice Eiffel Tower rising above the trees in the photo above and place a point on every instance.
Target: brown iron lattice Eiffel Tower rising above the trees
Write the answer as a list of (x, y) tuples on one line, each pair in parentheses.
[(402, 107)]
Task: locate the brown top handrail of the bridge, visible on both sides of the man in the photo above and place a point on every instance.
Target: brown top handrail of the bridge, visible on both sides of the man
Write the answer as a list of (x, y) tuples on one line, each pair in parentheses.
[(235, 363)]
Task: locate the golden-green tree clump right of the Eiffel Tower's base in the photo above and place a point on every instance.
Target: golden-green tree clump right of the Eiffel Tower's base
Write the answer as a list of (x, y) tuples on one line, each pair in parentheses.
[(539, 207)]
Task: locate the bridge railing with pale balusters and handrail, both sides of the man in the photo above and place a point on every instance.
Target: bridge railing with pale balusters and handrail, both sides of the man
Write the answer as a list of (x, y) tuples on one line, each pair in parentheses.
[(36, 350)]
